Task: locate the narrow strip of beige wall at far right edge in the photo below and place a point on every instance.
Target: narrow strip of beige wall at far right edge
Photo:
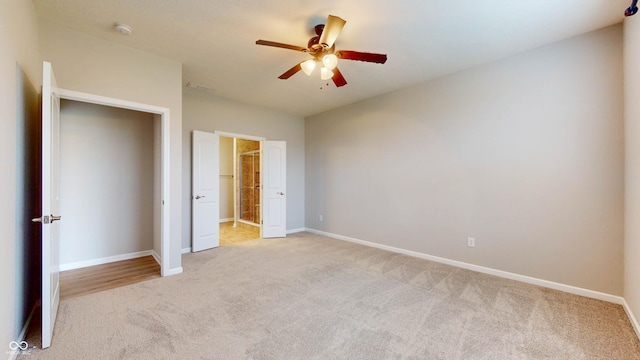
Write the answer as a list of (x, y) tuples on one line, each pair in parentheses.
[(632, 158)]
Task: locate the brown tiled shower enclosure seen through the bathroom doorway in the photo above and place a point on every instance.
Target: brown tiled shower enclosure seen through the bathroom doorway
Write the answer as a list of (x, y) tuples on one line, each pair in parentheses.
[(250, 186)]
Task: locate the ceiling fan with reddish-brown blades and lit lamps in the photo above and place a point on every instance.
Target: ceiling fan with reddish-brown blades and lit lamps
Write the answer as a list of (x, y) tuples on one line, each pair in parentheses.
[(322, 48)]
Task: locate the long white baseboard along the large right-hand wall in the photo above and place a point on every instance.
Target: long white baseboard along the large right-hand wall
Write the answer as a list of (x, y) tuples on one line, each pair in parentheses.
[(503, 274)]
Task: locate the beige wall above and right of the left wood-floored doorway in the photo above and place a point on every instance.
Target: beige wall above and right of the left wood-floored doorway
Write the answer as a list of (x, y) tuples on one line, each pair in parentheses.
[(88, 64)]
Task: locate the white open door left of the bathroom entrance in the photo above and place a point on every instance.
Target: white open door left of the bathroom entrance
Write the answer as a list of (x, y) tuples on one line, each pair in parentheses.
[(205, 208)]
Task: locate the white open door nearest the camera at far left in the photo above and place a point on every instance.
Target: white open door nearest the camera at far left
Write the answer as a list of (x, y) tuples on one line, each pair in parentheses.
[(50, 203)]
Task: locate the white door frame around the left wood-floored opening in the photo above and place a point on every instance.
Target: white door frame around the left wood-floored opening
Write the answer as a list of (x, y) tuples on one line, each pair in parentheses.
[(165, 159)]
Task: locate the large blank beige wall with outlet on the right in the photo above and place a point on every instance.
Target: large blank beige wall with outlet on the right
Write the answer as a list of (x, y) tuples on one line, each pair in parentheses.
[(524, 154)]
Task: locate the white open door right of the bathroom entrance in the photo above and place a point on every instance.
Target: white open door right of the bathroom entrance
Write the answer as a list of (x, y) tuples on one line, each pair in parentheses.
[(274, 186)]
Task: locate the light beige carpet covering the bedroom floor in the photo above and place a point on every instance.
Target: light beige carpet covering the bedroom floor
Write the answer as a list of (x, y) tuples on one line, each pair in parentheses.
[(311, 297)]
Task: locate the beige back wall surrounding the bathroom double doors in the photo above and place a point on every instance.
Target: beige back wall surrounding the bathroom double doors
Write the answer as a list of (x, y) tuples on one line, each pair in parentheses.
[(207, 112)]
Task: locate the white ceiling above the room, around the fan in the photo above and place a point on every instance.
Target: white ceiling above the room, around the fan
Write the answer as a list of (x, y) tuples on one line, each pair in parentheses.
[(424, 39)]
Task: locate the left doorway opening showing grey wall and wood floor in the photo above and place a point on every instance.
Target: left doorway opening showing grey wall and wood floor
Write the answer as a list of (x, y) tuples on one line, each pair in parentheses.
[(112, 149)]
